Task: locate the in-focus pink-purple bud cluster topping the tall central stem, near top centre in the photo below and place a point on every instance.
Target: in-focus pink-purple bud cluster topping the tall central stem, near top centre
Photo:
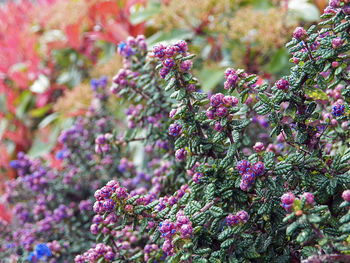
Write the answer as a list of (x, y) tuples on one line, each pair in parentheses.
[(167, 54)]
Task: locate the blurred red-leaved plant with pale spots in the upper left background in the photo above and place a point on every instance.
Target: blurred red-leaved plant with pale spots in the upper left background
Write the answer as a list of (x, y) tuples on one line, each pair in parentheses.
[(48, 48)]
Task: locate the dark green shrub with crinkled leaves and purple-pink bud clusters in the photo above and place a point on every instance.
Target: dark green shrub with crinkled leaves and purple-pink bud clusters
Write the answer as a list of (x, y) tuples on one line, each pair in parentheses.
[(256, 173)]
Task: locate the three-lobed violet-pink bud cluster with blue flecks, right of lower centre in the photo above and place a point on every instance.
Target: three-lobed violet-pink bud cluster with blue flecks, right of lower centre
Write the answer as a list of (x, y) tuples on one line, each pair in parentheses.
[(249, 173)]
